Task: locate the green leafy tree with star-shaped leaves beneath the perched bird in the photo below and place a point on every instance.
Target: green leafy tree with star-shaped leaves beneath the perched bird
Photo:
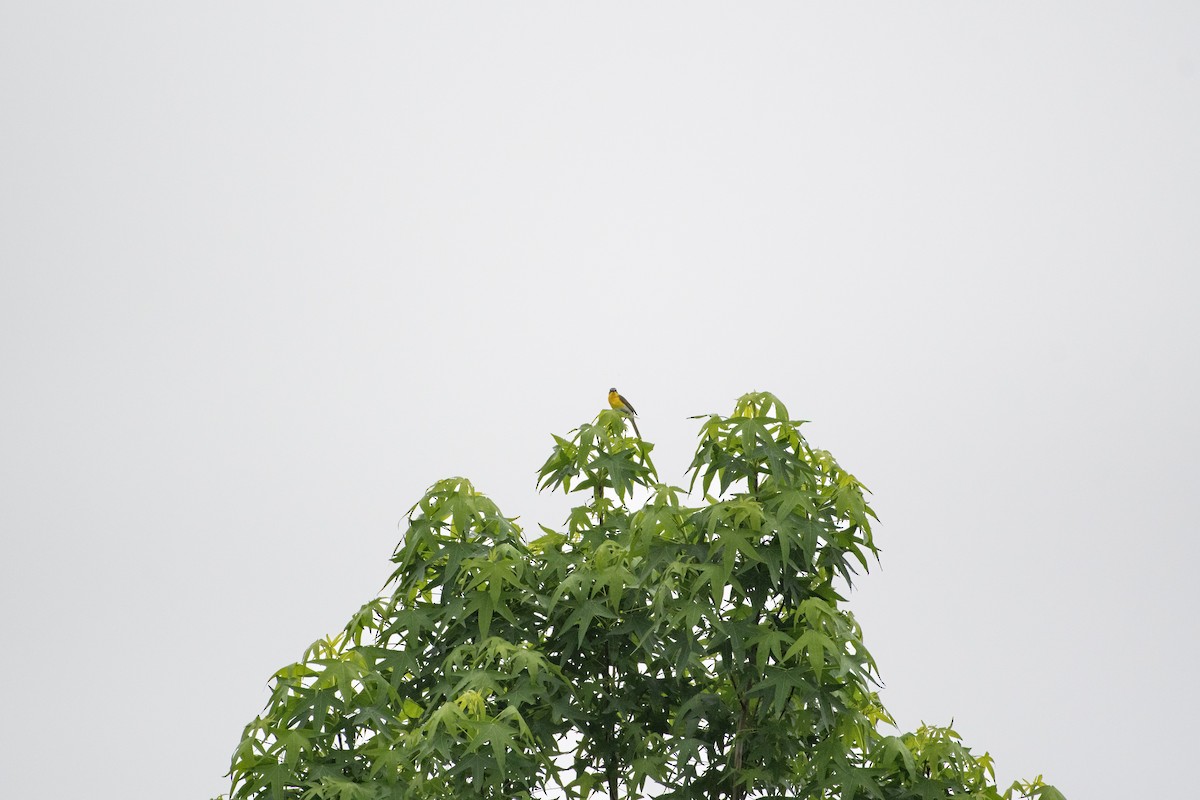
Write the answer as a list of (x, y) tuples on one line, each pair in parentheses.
[(663, 651)]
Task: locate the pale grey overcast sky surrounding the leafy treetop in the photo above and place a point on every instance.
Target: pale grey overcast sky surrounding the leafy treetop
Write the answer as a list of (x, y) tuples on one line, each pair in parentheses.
[(269, 270)]
